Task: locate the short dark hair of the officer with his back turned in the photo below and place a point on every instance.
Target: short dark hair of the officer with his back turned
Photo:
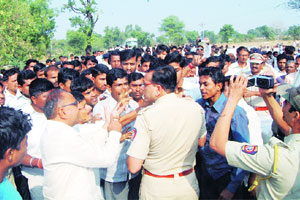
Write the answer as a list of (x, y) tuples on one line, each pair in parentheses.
[(166, 77)]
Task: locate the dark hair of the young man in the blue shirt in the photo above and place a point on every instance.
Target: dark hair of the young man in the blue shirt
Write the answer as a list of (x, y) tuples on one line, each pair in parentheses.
[(215, 74)]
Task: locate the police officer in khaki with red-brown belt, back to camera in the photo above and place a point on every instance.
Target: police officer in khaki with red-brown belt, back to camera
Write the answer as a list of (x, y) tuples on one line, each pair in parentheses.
[(167, 135)]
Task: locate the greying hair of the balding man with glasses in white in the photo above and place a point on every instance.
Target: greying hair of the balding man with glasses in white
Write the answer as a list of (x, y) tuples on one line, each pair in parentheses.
[(52, 101)]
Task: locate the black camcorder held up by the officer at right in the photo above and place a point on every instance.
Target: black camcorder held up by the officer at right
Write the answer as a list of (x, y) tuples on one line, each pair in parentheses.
[(265, 82)]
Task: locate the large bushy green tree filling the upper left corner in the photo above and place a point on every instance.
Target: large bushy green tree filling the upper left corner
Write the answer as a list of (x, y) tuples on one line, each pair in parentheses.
[(25, 30)]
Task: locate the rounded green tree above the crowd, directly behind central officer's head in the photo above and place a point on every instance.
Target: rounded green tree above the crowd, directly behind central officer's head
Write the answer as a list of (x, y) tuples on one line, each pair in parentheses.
[(174, 30)]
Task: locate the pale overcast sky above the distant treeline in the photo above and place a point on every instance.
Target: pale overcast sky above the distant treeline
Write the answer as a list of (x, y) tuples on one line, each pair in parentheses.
[(212, 14)]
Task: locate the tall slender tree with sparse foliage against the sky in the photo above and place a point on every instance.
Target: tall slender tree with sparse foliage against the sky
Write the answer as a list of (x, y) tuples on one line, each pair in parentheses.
[(87, 19)]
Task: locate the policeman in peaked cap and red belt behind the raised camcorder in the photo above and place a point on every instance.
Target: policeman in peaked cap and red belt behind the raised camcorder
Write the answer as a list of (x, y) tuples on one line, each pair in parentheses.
[(253, 98)]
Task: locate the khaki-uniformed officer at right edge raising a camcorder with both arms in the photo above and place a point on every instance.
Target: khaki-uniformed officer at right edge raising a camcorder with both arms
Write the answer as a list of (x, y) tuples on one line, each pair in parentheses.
[(276, 163)]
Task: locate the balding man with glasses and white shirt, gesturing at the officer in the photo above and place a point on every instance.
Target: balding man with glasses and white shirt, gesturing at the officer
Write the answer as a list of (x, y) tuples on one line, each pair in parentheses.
[(70, 158)]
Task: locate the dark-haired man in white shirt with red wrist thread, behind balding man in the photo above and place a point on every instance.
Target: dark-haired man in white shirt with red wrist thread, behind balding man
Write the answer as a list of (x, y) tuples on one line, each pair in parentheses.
[(39, 90)]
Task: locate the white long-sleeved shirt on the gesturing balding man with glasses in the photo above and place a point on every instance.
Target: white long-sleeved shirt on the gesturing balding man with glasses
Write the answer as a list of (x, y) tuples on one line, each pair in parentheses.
[(70, 160)]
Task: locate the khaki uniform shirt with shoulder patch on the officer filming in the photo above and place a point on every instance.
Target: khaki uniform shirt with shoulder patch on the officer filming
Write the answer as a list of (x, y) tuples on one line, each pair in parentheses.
[(285, 182)]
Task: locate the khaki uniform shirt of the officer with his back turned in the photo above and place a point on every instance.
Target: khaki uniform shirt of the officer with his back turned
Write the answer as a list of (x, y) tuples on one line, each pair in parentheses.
[(167, 134)]
